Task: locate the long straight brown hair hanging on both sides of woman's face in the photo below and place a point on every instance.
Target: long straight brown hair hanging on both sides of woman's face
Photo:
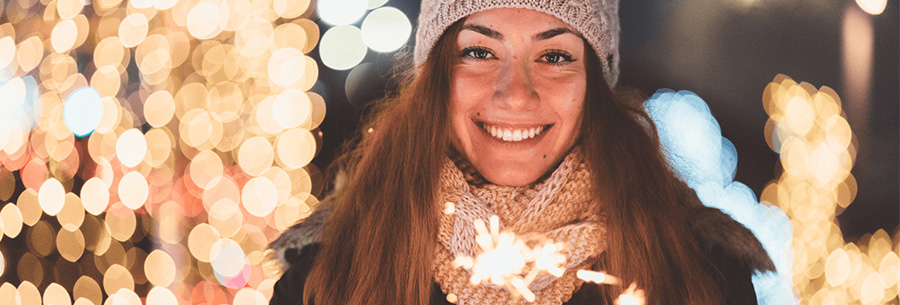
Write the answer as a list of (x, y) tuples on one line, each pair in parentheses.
[(378, 244)]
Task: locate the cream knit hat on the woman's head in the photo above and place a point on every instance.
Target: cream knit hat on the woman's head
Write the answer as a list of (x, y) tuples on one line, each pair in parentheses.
[(596, 20)]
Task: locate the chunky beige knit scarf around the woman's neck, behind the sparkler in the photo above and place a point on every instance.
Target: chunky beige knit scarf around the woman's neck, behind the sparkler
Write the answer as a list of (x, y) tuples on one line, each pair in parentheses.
[(558, 207)]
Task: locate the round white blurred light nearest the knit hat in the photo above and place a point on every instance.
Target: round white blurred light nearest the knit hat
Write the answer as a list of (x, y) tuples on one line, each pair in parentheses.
[(386, 29)]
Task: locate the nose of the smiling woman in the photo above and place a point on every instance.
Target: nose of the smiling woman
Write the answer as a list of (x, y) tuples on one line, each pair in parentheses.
[(514, 87)]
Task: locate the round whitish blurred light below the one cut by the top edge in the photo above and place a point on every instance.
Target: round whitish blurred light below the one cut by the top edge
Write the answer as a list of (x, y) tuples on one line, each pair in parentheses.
[(342, 47)]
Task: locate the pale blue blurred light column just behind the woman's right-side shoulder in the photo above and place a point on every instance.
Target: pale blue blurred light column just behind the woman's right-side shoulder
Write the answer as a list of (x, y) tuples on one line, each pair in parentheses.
[(698, 153)]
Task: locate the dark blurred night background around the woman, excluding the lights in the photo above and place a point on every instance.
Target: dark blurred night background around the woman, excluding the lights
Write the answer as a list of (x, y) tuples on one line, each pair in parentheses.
[(726, 51)]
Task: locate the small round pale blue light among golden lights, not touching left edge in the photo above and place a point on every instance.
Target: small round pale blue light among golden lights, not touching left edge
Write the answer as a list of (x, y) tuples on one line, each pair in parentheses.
[(83, 111)]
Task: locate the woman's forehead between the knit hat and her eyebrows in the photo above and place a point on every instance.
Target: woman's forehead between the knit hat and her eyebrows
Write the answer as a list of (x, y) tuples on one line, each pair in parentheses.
[(517, 20)]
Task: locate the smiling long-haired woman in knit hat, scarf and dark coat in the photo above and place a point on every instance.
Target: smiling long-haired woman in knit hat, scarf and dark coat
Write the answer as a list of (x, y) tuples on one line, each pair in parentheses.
[(511, 113)]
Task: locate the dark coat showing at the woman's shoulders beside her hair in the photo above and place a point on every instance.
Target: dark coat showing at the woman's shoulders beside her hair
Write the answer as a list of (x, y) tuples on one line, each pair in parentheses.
[(732, 251)]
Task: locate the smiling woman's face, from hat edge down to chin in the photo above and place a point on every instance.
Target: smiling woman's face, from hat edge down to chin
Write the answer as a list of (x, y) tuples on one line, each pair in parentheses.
[(518, 88)]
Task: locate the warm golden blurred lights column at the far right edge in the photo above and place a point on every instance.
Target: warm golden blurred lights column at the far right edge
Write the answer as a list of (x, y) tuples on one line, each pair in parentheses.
[(810, 131)]
